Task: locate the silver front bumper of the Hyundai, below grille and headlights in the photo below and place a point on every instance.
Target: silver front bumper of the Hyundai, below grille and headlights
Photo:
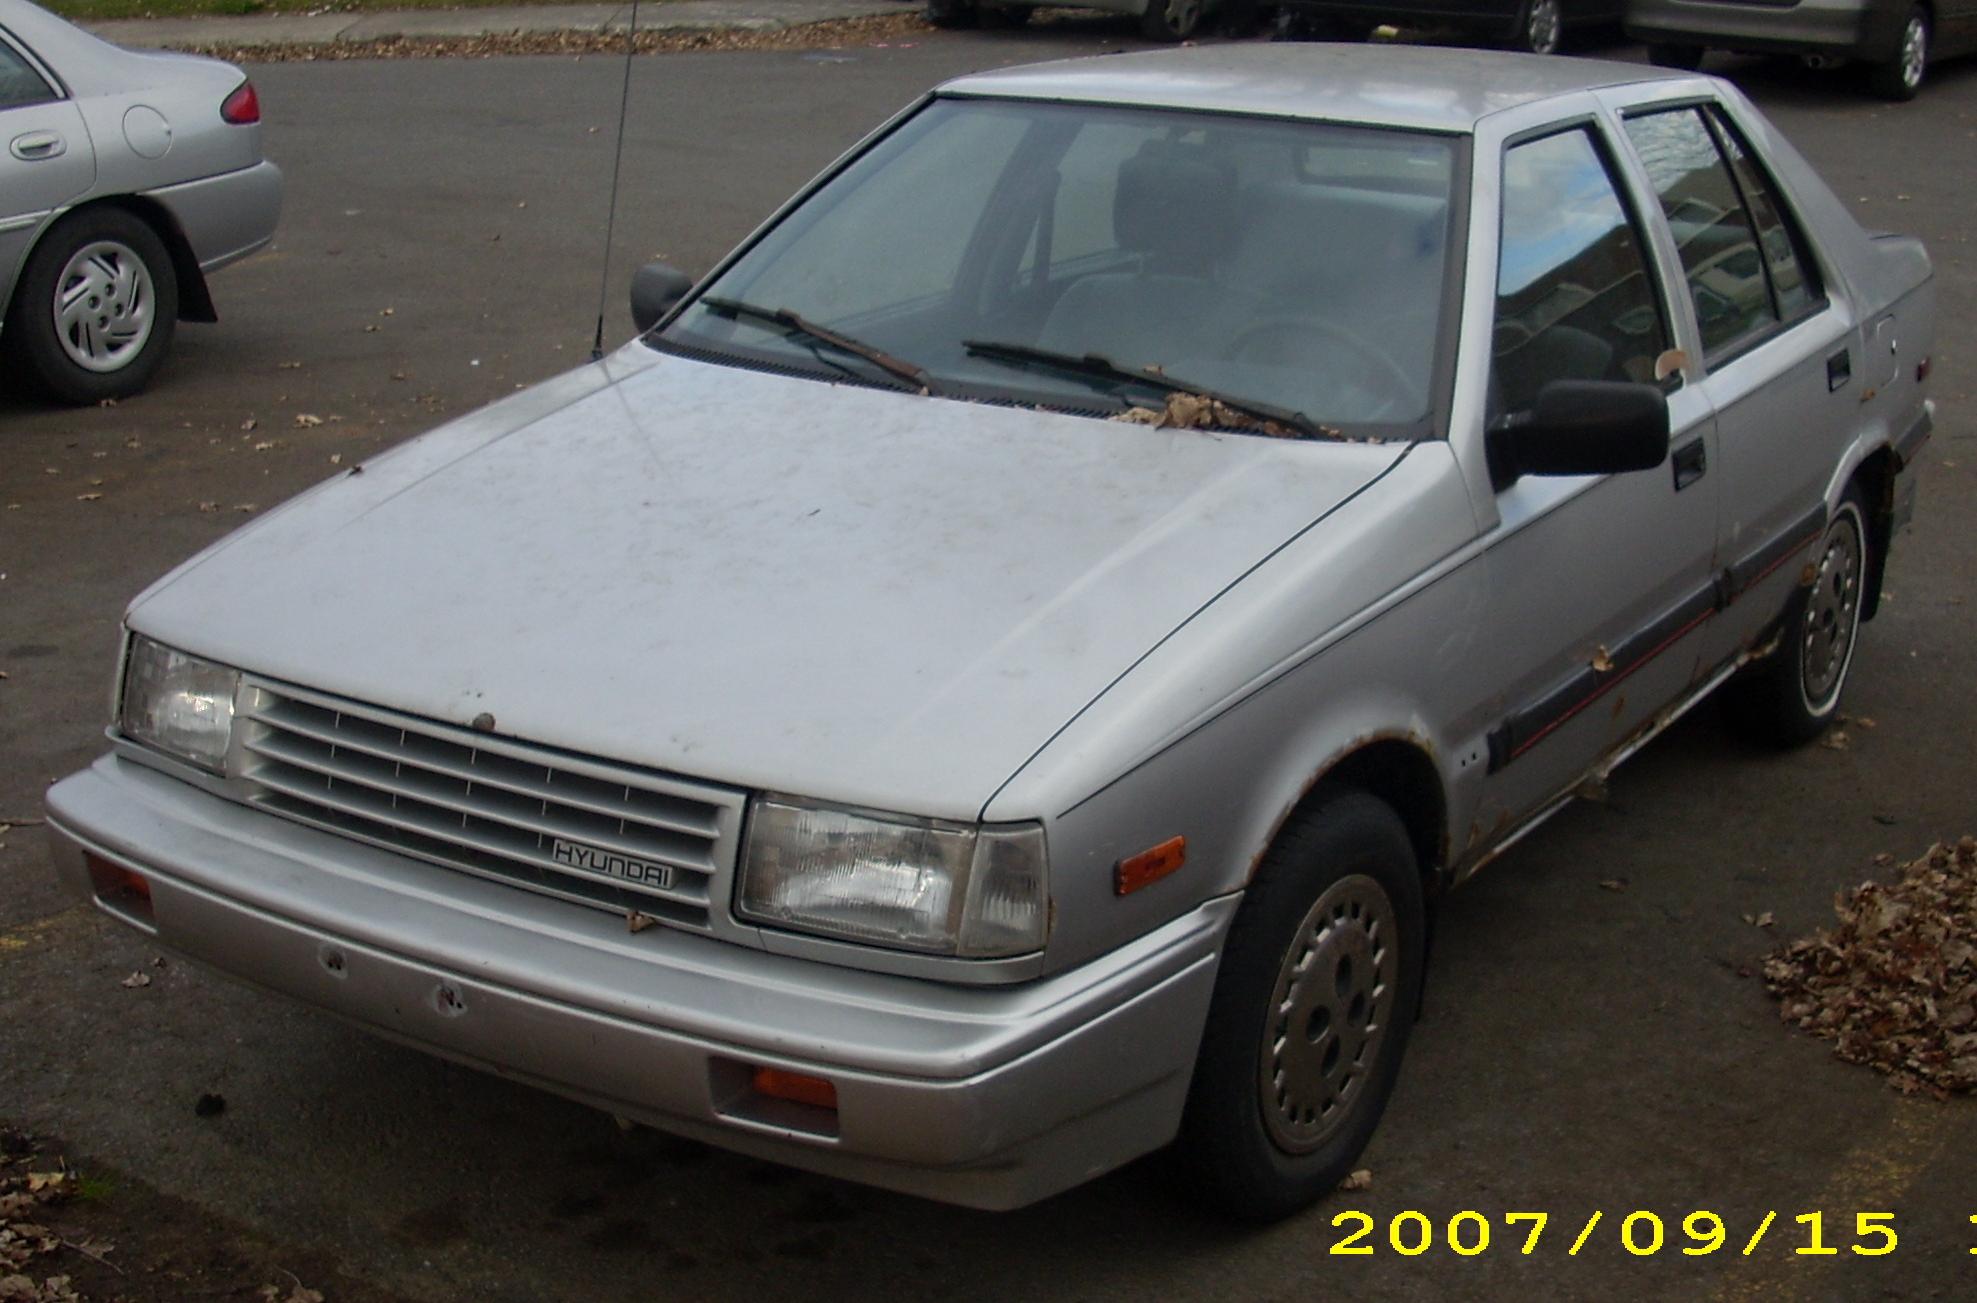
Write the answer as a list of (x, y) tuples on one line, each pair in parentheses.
[(984, 1096)]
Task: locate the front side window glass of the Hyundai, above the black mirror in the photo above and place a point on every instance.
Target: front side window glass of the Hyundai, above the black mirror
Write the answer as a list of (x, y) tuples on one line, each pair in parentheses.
[(1575, 298)]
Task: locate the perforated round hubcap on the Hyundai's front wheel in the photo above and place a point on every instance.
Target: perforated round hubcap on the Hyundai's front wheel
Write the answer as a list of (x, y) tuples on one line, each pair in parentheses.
[(1330, 1013)]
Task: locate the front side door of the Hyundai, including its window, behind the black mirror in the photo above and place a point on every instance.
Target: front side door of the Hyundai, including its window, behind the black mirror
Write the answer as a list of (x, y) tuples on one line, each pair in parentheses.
[(1598, 584)]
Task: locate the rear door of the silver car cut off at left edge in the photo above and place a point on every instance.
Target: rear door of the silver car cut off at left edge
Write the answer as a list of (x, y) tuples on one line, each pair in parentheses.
[(44, 155)]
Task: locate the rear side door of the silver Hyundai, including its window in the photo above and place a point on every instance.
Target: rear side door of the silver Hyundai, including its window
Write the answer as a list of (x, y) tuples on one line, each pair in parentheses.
[(1782, 357)]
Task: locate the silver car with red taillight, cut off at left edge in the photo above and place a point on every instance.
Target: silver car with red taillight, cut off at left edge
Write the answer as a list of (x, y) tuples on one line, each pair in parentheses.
[(126, 181)]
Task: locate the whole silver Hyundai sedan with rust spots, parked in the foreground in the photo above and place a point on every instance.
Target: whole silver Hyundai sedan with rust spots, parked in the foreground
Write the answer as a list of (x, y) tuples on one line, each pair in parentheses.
[(999, 675)]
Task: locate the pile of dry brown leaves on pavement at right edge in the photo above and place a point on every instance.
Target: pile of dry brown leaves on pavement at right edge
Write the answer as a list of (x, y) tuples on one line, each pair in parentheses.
[(1895, 986)]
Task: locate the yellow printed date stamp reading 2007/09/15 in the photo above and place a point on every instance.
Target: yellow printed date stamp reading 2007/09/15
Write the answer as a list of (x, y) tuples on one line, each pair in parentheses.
[(1642, 1233)]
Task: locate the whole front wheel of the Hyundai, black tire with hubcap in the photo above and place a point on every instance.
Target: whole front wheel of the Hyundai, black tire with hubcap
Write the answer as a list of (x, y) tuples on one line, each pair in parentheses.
[(1326, 954)]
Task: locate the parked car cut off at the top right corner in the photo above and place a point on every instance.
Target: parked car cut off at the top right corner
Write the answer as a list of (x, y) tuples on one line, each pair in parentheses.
[(1897, 41)]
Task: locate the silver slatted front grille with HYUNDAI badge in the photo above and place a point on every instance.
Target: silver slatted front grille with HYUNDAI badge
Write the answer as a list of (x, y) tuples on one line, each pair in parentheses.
[(529, 816)]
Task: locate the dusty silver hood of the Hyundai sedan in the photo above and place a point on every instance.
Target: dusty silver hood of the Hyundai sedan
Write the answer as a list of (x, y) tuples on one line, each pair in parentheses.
[(782, 584)]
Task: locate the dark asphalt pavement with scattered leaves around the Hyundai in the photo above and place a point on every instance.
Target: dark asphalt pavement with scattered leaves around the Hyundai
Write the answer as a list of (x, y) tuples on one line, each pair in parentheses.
[(1585, 1049)]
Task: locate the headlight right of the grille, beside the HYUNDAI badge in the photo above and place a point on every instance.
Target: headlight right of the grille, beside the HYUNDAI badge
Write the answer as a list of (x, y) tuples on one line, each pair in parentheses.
[(914, 885)]
